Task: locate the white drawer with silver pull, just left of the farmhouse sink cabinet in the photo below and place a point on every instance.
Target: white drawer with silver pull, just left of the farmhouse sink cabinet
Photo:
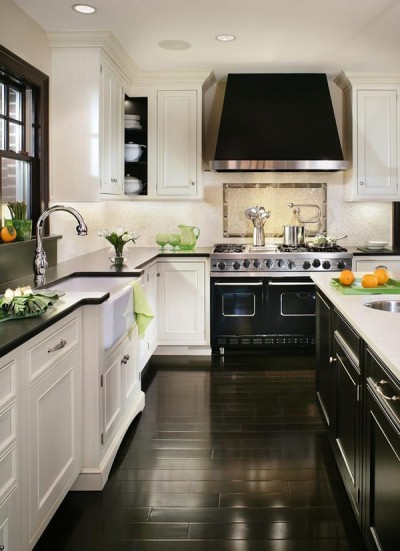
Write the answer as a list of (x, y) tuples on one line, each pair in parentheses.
[(54, 344)]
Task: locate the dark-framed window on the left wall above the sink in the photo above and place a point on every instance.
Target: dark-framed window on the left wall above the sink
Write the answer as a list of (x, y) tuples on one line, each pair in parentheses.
[(23, 135)]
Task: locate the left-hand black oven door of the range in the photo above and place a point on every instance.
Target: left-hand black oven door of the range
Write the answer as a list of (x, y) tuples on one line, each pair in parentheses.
[(237, 306)]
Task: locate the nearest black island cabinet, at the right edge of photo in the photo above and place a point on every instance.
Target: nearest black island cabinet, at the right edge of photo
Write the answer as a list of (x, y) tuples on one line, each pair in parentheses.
[(382, 457)]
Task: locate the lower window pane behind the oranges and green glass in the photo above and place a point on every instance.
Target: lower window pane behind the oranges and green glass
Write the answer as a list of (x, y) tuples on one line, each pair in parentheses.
[(15, 183)]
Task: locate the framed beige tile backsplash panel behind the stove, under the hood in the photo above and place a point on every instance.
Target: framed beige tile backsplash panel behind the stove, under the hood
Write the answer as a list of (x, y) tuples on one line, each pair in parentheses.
[(275, 198)]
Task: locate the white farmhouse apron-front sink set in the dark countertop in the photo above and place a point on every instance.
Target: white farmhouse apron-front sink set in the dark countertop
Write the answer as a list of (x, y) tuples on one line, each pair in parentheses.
[(117, 311)]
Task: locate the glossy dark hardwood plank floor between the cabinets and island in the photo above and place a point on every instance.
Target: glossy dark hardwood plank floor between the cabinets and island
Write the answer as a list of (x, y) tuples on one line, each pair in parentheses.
[(228, 455)]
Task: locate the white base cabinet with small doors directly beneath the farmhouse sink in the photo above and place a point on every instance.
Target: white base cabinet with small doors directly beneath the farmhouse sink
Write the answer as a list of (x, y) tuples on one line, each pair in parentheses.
[(112, 396)]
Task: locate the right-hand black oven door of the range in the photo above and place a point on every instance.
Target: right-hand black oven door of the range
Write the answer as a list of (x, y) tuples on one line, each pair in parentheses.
[(291, 307)]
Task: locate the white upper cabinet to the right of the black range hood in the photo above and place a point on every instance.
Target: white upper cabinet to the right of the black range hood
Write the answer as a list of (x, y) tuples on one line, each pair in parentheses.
[(372, 135)]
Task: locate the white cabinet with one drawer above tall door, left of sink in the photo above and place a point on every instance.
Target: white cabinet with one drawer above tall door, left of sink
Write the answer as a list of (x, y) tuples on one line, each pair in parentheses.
[(52, 418)]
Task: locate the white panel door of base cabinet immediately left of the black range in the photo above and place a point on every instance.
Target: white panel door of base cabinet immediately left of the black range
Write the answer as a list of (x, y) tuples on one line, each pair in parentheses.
[(181, 303)]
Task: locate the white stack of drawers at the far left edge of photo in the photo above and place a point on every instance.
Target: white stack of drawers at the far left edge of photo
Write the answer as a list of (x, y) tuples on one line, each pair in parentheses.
[(9, 479)]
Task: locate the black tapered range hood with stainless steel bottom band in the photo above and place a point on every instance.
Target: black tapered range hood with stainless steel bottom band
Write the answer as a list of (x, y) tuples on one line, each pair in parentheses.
[(278, 122)]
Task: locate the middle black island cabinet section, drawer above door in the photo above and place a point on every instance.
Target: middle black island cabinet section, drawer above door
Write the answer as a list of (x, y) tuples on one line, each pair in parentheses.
[(347, 434)]
